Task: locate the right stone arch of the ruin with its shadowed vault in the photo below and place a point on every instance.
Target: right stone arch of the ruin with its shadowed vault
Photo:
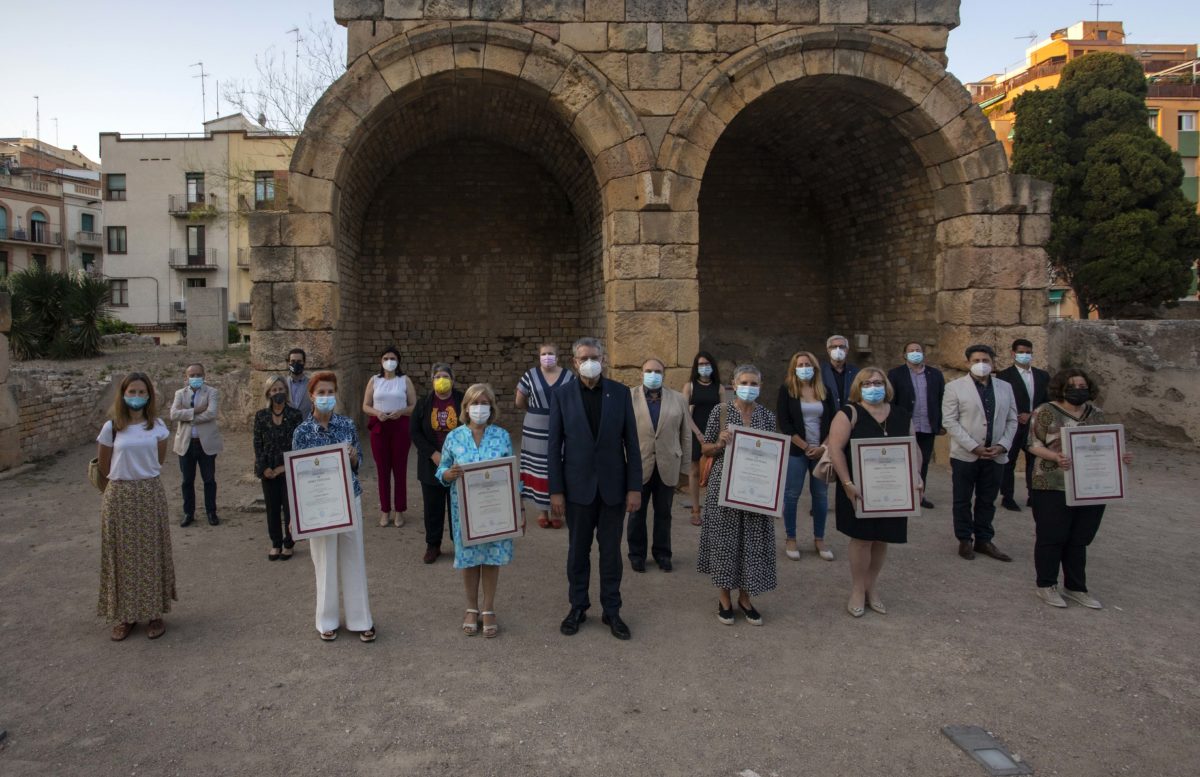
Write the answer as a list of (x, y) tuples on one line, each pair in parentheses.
[(973, 264)]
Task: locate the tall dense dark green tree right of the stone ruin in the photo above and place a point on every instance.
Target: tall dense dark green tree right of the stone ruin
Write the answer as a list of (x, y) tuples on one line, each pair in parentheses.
[(1124, 234)]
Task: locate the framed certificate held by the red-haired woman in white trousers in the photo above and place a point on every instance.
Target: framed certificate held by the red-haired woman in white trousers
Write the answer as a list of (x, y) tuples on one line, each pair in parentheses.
[(321, 491)]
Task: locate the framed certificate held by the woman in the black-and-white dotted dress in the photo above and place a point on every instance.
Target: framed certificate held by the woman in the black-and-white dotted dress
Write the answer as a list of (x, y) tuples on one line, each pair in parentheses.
[(755, 472)]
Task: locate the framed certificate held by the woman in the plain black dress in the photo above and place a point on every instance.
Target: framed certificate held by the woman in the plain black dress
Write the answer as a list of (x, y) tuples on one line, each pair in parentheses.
[(886, 473)]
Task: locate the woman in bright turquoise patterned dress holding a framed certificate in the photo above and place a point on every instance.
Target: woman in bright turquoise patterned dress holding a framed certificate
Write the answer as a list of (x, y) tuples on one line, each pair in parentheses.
[(481, 441)]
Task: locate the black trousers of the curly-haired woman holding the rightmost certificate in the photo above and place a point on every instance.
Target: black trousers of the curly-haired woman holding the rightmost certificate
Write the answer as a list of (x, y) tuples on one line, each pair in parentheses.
[(1063, 538)]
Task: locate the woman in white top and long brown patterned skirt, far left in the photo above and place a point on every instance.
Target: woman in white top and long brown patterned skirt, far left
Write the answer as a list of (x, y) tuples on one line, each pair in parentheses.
[(137, 576)]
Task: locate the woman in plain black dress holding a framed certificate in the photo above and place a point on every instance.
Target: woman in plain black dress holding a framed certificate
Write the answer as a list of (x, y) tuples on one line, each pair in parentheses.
[(871, 414)]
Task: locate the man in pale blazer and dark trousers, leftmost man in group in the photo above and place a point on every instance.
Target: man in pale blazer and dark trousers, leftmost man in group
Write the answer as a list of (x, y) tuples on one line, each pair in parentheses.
[(197, 442)]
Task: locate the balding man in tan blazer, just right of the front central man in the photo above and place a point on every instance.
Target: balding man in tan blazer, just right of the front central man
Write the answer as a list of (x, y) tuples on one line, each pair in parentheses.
[(664, 436)]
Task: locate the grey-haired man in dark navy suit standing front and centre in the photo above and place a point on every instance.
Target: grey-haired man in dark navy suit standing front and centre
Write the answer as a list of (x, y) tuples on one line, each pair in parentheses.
[(596, 478)]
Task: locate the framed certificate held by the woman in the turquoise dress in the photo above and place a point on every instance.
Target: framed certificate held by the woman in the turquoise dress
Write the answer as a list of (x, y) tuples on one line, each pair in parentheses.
[(489, 502)]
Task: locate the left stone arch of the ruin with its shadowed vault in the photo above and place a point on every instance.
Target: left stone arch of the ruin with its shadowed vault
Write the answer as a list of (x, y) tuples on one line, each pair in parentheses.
[(447, 88)]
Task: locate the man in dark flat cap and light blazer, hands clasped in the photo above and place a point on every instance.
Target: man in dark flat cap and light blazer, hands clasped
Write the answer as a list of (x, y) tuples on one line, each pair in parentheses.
[(980, 414)]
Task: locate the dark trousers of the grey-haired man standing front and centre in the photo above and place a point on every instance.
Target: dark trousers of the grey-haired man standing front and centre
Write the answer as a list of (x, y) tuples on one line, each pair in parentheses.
[(604, 522)]
